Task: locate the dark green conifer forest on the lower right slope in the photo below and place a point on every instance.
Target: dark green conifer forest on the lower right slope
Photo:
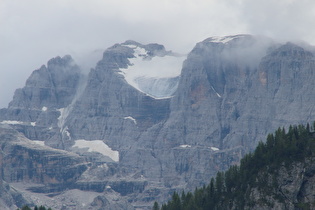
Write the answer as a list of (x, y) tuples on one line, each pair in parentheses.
[(229, 189)]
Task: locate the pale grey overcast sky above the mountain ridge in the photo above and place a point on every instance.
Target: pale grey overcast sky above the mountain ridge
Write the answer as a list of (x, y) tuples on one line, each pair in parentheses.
[(33, 31)]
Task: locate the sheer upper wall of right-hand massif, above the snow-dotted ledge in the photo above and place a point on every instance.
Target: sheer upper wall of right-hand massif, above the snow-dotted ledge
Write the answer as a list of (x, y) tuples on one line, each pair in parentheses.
[(232, 93)]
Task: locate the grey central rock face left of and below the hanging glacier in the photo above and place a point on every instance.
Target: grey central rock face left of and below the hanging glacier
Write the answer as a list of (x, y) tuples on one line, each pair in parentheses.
[(109, 108)]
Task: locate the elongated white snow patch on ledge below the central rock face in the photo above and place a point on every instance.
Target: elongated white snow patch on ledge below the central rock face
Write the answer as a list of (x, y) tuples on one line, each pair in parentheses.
[(97, 146)]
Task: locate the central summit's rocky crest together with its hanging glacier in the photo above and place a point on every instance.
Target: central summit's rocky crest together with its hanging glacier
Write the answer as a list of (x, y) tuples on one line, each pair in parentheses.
[(148, 68)]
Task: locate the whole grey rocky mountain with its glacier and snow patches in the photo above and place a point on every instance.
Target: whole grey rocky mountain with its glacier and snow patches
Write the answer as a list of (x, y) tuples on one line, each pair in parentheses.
[(148, 121)]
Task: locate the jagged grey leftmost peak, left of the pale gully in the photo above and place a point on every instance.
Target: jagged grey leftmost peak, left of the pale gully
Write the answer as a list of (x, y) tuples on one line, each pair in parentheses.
[(52, 86)]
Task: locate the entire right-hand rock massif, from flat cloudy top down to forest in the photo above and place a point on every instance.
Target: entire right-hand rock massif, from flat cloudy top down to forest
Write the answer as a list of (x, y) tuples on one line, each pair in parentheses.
[(229, 97)]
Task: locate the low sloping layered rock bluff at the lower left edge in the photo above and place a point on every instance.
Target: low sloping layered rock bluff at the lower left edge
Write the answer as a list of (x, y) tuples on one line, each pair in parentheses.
[(24, 160)]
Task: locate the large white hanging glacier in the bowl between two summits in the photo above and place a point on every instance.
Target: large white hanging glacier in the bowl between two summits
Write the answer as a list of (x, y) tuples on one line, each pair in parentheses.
[(149, 72)]
